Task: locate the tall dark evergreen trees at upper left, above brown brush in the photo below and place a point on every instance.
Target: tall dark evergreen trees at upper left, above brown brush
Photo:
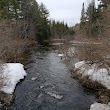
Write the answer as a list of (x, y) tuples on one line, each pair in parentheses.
[(29, 15)]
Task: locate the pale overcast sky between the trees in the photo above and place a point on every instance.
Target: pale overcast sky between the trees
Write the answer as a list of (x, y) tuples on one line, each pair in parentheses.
[(64, 10)]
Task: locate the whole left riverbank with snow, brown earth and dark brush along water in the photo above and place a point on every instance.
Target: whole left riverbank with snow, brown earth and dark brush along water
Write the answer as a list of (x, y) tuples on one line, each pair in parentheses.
[(12, 73)]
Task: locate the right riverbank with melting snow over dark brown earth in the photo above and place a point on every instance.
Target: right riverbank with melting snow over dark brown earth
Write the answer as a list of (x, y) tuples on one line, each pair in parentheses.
[(95, 77)]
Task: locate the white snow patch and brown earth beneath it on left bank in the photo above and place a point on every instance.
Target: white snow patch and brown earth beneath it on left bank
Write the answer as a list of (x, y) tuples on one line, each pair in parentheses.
[(11, 74)]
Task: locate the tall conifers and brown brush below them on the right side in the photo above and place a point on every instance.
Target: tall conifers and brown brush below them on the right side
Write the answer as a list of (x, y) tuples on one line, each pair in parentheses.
[(95, 31)]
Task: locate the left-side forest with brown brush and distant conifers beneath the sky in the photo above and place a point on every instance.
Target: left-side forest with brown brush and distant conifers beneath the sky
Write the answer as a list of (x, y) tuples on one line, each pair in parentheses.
[(24, 23)]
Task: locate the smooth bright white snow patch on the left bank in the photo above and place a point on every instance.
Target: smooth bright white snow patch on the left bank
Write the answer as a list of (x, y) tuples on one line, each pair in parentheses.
[(12, 72)]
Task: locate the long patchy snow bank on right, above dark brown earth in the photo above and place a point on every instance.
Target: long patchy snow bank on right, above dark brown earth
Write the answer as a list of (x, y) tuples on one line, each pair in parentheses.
[(100, 75)]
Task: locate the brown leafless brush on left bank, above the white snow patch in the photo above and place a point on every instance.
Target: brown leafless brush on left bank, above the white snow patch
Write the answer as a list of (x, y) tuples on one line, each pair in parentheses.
[(12, 43)]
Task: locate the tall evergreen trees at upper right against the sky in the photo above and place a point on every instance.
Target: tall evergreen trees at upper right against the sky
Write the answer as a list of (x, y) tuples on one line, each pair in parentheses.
[(95, 20)]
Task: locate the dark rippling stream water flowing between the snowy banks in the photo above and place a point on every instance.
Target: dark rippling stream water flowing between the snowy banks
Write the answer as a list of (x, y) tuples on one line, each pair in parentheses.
[(48, 86)]
